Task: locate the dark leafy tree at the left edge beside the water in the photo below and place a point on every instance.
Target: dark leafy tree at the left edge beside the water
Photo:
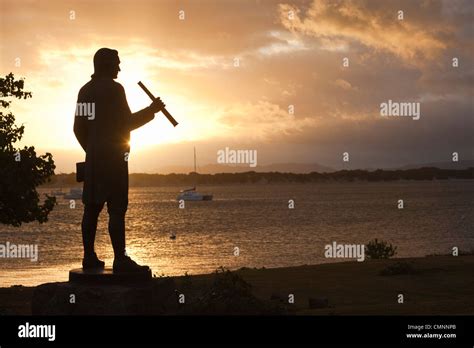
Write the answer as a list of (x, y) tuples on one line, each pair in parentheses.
[(21, 170)]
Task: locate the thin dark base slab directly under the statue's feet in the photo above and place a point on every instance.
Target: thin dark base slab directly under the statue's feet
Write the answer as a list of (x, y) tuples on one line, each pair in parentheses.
[(107, 276)]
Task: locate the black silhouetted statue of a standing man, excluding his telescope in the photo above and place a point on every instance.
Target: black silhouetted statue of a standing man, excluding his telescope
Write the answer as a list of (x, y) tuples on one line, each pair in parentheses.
[(102, 126)]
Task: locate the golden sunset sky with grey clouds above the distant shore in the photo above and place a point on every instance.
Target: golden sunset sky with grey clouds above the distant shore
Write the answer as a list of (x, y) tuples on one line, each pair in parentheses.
[(231, 71)]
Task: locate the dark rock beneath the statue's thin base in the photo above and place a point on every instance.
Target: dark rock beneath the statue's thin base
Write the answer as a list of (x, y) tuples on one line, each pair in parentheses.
[(155, 297)]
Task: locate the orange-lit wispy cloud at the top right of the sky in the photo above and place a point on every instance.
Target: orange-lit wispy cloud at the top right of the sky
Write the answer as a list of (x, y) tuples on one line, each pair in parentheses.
[(374, 25)]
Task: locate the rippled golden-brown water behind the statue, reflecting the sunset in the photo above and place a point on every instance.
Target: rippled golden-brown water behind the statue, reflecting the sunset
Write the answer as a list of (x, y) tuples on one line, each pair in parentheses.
[(254, 218)]
